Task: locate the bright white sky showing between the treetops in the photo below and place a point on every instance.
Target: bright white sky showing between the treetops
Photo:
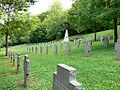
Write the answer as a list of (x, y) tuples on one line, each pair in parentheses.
[(43, 5)]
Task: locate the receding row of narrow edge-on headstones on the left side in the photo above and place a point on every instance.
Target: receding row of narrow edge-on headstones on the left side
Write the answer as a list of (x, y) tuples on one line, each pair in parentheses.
[(26, 66)]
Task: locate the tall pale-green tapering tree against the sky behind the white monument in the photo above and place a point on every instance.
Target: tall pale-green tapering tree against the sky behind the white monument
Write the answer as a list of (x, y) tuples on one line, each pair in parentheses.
[(54, 20)]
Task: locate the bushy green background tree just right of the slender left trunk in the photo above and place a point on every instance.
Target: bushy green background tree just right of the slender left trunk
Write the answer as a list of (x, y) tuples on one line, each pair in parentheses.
[(22, 23)]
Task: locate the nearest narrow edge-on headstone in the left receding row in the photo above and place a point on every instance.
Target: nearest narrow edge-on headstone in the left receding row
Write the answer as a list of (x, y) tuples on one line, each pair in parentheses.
[(26, 70)]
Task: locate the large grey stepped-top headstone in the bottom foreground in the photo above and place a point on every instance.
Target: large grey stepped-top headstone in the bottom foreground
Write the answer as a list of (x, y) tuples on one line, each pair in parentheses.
[(65, 78)]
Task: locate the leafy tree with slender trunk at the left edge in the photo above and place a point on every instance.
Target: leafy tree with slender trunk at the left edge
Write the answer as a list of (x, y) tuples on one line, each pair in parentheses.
[(9, 8)]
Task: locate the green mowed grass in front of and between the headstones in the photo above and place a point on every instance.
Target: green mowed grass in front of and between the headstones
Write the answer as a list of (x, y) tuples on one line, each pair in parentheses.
[(99, 71)]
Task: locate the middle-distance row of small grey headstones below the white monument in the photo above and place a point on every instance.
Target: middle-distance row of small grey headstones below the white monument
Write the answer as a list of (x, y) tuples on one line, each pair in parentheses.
[(35, 49)]
